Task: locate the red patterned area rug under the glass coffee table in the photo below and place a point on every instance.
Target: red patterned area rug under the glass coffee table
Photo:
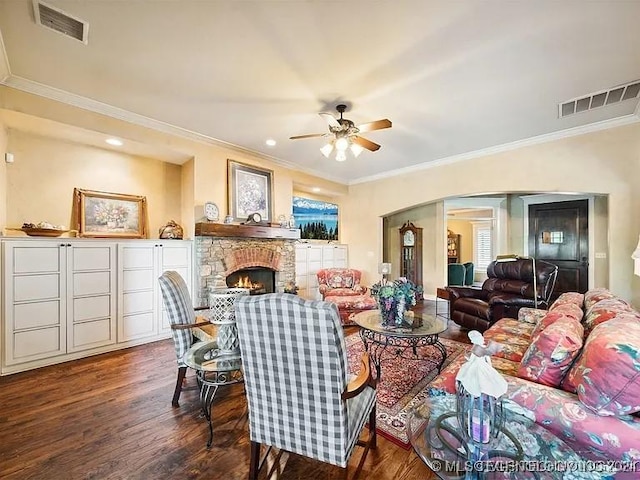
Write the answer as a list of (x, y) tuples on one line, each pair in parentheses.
[(403, 383)]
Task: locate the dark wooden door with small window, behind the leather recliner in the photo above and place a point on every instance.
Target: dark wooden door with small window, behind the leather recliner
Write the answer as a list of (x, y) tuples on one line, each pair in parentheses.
[(559, 234)]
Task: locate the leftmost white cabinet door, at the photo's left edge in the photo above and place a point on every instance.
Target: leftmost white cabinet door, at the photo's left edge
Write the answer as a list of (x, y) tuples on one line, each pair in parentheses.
[(34, 300)]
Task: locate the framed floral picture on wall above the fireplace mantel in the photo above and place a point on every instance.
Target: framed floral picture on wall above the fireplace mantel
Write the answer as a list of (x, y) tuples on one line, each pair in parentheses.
[(250, 191)]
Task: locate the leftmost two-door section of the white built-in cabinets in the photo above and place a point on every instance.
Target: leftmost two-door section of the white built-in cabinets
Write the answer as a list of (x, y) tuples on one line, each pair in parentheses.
[(58, 297)]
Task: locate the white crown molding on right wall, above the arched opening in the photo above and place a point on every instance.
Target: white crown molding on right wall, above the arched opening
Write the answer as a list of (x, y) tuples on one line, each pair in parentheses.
[(548, 137)]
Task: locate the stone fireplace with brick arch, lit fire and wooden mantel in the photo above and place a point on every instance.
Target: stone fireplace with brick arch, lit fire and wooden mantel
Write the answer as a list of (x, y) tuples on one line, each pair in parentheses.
[(223, 251)]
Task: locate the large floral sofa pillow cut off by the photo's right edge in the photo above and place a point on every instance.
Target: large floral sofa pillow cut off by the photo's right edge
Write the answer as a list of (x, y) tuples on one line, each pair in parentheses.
[(607, 375)]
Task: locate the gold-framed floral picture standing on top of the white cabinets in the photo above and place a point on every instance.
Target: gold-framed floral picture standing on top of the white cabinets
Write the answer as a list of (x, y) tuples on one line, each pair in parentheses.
[(110, 215)]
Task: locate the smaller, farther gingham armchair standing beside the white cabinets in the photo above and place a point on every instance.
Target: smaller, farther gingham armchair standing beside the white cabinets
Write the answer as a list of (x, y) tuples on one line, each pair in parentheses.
[(185, 326)]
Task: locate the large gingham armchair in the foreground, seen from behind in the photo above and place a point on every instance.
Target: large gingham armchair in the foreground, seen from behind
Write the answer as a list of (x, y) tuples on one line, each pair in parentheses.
[(296, 378)]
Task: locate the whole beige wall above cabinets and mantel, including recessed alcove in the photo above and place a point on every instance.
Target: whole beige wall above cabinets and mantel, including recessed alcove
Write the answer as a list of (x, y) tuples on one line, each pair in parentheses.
[(175, 192)]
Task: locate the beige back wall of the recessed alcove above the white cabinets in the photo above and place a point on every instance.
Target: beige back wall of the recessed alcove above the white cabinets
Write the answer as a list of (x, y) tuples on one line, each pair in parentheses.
[(41, 180)]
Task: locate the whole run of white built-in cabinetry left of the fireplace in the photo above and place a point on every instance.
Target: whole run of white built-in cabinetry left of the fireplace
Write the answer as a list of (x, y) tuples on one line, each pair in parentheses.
[(64, 299)]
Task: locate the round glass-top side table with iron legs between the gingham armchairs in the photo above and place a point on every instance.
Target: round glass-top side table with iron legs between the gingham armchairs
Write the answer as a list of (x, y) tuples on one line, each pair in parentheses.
[(214, 368)]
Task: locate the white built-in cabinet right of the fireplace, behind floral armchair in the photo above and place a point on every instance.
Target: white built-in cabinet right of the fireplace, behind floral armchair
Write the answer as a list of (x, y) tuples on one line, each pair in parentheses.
[(310, 258)]
